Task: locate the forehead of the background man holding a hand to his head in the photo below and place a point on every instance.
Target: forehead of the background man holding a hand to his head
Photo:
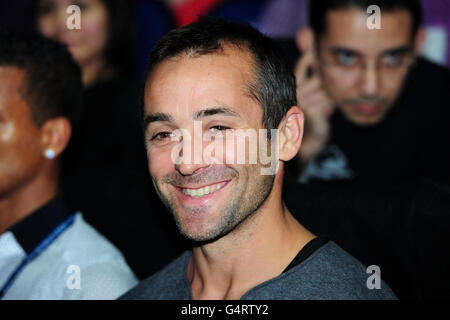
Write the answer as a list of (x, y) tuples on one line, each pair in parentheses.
[(348, 28)]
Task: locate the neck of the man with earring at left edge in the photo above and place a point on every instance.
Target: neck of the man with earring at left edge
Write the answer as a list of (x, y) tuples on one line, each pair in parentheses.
[(18, 204)]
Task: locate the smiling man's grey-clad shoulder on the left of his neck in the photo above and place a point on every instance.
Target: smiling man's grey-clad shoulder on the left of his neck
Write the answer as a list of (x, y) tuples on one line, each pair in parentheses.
[(167, 284)]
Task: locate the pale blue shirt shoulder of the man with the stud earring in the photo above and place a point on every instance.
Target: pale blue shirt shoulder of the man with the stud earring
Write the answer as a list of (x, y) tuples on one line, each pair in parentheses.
[(79, 264)]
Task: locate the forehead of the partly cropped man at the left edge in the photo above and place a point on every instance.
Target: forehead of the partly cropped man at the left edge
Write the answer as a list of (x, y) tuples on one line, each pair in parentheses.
[(11, 85)]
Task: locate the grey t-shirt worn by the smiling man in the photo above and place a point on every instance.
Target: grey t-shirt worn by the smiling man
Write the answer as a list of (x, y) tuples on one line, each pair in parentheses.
[(328, 273)]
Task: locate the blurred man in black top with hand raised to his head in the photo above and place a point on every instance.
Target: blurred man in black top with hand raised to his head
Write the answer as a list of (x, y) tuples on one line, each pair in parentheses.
[(374, 160)]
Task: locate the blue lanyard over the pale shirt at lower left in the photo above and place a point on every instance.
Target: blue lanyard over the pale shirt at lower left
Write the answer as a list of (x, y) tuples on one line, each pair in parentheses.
[(37, 251)]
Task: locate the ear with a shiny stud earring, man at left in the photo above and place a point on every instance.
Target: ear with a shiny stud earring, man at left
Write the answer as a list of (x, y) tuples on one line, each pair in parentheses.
[(55, 135)]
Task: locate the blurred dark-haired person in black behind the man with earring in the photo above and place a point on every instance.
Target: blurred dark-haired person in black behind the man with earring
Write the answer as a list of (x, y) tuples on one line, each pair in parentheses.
[(104, 168)]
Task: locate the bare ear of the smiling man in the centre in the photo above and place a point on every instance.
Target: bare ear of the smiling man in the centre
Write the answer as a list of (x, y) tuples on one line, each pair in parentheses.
[(291, 133)]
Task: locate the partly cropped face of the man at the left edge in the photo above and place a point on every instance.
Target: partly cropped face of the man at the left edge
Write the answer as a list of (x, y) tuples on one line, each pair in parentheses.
[(20, 153)]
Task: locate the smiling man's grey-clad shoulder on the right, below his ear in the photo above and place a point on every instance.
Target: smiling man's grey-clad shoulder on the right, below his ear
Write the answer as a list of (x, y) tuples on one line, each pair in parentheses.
[(330, 273)]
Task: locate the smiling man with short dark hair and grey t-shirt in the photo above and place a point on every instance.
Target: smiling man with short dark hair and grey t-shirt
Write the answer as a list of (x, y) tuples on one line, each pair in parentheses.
[(246, 243)]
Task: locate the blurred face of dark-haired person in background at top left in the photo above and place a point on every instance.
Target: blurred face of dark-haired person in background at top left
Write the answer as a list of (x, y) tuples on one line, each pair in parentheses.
[(88, 44)]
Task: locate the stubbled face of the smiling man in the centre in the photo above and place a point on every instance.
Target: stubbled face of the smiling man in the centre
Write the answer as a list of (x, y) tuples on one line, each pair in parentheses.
[(212, 89)]
